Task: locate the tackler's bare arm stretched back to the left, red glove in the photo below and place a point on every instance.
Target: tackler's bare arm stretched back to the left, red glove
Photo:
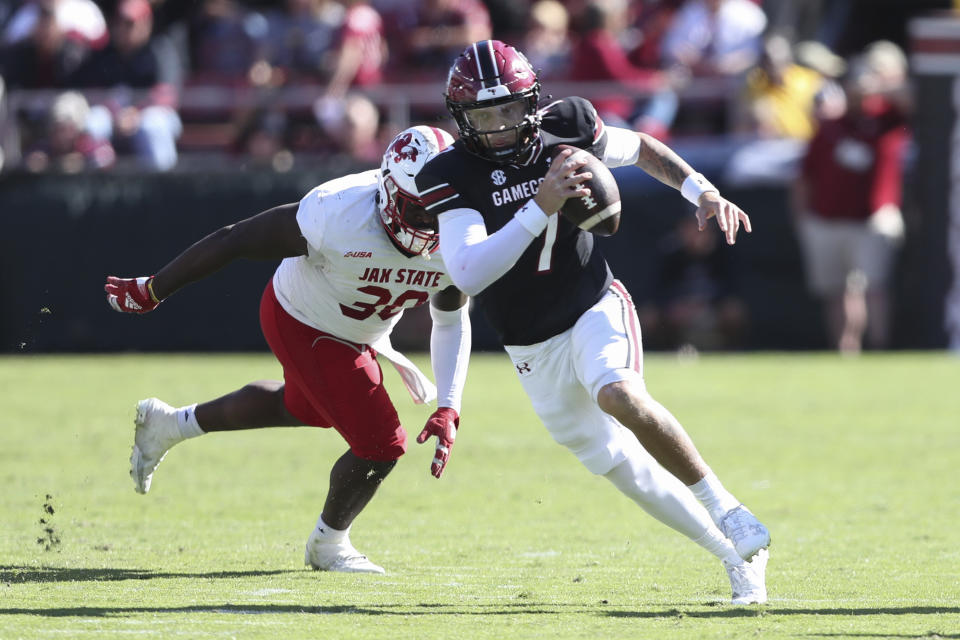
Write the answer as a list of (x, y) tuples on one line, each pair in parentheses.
[(270, 235)]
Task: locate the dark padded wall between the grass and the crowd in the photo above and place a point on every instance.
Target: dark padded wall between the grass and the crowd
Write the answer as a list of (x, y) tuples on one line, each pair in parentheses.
[(61, 235)]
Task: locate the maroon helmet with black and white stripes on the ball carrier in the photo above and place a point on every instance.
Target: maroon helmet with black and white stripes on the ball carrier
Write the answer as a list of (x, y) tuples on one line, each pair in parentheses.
[(488, 74)]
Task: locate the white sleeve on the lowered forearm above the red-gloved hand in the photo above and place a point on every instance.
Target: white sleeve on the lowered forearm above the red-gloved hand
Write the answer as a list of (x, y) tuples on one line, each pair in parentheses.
[(450, 341)]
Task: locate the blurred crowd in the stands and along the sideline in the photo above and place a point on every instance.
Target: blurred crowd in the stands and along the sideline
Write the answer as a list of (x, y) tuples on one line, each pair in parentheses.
[(177, 86)]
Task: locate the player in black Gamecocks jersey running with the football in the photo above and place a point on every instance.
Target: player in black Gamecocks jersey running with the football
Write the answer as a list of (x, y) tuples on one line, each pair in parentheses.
[(570, 328)]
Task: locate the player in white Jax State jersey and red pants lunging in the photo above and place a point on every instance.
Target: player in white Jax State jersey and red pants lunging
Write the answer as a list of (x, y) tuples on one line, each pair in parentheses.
[(356, 252)]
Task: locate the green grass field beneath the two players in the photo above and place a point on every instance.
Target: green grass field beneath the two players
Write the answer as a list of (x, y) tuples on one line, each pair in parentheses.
[(852, 463)]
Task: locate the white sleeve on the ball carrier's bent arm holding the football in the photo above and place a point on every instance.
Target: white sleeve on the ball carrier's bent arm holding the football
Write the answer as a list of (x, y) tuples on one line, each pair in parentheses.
[(476, 260)]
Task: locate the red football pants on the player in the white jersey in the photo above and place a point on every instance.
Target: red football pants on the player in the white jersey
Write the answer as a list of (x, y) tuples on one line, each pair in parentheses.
[(331, 382)]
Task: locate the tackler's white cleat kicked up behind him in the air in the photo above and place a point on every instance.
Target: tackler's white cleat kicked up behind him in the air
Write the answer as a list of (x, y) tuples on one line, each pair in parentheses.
[(156, 431)]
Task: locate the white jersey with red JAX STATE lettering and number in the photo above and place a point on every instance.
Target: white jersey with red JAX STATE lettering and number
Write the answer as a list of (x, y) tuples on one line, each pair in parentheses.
[(353, 282)]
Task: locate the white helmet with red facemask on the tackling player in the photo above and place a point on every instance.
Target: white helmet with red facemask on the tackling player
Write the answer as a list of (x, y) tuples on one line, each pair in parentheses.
[(401, 209)]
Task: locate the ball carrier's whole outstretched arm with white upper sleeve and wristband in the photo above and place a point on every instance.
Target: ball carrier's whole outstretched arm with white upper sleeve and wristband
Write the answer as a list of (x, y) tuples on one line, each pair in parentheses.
[(660, 161)]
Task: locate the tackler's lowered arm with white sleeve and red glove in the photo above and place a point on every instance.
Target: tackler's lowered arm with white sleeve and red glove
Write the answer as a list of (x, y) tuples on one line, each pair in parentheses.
[(450, 341)]
